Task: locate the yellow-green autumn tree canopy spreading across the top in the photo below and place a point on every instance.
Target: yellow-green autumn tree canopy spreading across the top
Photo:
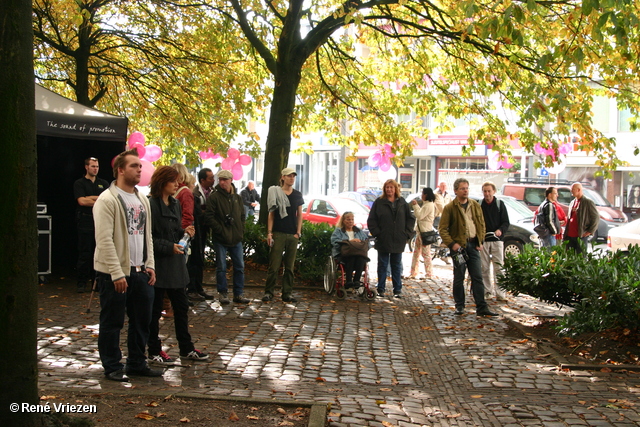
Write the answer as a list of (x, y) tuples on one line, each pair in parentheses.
[(526, 69)]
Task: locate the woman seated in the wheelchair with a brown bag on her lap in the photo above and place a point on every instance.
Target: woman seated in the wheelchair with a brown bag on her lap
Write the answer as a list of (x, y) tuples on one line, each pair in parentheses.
[(349, 246)]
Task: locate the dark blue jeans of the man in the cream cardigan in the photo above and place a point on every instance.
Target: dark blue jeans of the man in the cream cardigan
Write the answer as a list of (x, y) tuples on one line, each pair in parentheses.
[(137, 302)]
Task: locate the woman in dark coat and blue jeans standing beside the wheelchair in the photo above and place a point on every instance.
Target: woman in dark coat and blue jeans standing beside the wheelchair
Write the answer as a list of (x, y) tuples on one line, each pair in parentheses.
[(391, 222)]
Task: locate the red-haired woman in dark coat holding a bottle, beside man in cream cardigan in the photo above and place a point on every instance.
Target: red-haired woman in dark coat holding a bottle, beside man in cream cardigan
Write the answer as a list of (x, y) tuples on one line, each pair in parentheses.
[(171, 269)]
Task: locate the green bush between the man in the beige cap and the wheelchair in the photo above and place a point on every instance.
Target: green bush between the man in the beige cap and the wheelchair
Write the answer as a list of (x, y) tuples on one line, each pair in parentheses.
[(314, 249)]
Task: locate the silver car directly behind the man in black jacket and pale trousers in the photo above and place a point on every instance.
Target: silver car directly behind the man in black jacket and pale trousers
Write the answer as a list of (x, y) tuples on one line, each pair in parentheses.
[(520, 230)]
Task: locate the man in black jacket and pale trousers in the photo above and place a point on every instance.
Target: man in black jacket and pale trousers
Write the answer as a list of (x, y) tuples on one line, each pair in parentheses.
[(496, 219)]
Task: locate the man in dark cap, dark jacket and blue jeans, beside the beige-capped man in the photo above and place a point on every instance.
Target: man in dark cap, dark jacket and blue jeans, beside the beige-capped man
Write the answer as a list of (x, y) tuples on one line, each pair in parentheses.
[(225, 216)]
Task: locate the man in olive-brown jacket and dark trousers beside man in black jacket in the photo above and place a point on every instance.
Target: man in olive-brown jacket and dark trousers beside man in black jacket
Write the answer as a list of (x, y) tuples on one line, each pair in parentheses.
[(462, 226)]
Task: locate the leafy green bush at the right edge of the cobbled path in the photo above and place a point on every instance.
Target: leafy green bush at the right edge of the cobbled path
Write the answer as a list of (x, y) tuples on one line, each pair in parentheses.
[(603, 290)]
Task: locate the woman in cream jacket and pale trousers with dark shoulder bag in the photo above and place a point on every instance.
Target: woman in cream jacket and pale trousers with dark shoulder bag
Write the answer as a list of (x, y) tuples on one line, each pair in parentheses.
[(425, 215)]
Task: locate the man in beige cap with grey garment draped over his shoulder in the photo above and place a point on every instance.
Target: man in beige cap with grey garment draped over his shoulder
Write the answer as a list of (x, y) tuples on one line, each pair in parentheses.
[(284, 228)]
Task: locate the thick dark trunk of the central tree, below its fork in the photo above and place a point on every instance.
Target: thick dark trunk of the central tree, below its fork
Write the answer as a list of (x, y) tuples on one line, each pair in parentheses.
[(276, 156)]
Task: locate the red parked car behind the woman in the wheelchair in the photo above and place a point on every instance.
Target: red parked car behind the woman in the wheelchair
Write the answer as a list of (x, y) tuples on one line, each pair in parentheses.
[(329, 209)]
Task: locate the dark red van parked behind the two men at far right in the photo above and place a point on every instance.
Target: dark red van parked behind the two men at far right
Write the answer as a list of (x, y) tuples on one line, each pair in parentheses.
[(532, 194)]
